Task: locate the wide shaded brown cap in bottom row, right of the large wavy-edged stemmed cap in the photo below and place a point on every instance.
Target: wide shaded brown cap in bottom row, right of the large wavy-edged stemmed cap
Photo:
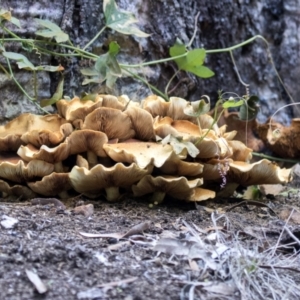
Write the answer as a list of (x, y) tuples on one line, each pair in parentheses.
[(177, 187)]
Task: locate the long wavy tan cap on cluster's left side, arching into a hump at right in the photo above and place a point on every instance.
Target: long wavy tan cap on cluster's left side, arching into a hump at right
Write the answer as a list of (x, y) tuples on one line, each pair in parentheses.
[(78, 142)]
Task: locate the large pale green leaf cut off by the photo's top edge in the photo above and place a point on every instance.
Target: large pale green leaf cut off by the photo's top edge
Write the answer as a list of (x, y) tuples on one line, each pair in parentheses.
[(120, 20)]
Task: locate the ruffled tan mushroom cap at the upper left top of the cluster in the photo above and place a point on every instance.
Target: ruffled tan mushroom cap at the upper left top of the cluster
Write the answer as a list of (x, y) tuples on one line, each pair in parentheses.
[(77, 109)]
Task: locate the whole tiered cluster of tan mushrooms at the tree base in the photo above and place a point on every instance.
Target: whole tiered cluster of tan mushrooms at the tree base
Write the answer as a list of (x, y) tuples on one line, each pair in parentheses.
[(111, 146)]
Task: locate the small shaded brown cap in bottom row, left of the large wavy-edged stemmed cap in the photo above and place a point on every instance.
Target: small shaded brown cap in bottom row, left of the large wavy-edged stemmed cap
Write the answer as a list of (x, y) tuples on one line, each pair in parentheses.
[(51, 185)]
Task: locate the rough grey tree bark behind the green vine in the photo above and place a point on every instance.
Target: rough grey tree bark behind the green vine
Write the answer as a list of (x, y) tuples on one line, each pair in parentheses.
[(220, 24)]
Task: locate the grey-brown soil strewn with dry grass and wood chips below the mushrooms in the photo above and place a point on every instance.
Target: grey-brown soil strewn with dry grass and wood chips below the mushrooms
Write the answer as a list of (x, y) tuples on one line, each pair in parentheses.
[(154, 260)]
